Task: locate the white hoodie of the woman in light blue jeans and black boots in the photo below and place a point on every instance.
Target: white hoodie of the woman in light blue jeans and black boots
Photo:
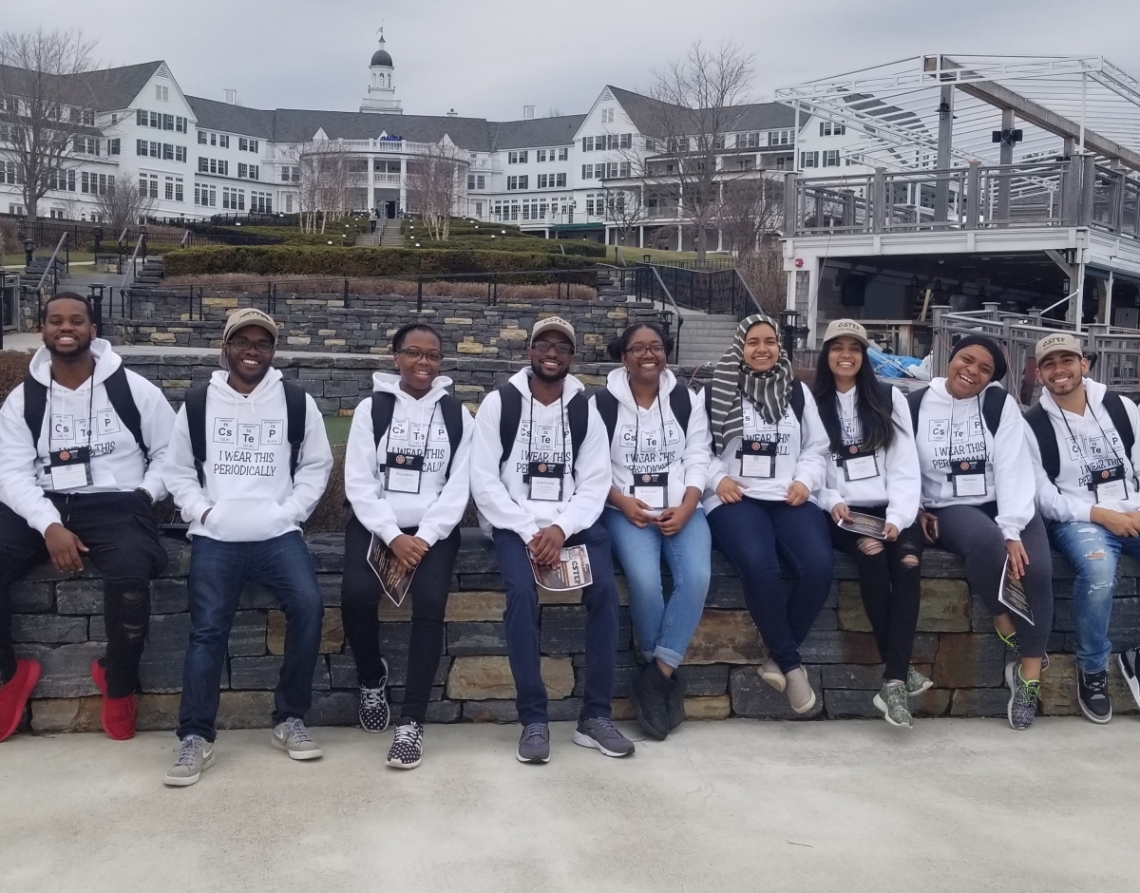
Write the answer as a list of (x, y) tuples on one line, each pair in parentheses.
[(685, 456)]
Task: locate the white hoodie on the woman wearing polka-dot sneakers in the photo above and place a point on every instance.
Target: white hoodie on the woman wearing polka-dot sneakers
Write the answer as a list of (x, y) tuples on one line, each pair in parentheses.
[(442, 501)]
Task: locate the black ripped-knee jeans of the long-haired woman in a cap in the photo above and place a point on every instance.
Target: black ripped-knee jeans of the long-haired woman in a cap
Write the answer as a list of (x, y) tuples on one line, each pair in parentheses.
[(890, 581)]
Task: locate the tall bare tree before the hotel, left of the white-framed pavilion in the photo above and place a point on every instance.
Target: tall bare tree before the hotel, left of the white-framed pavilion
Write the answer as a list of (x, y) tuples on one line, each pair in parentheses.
[(698, 100)]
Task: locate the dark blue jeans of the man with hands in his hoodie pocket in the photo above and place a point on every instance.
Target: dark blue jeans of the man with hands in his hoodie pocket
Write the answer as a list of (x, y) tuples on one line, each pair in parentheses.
[(218, 574)]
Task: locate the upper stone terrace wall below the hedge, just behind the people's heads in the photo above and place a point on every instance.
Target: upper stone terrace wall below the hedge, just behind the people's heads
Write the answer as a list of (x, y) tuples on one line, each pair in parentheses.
[(365, 326)]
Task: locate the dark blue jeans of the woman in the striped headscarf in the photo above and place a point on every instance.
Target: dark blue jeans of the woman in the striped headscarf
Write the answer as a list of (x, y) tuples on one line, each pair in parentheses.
[(755, 535)]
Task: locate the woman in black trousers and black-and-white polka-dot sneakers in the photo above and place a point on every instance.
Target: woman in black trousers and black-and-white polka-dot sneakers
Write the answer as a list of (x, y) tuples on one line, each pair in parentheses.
[(409, 486)]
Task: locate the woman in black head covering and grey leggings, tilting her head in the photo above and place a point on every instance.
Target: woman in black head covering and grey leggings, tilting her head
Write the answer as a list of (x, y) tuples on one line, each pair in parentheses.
[(979, 502)]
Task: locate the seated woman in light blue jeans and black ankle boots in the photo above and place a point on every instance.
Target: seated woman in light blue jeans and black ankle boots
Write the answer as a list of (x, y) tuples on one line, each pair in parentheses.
[(659, 456)]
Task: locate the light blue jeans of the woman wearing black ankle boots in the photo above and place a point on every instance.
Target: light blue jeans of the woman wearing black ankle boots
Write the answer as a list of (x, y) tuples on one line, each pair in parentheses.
[(664, 629)]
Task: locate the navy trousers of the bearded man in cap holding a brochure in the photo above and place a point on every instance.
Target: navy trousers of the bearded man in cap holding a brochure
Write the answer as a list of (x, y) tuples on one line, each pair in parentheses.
[(520, 621)]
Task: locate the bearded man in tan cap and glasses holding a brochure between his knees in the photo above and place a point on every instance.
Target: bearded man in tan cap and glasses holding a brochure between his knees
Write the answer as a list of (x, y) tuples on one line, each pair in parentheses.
[(541, 475)]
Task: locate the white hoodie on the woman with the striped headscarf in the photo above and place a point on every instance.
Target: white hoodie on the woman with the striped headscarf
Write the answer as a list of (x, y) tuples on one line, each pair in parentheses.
[(802, 456)]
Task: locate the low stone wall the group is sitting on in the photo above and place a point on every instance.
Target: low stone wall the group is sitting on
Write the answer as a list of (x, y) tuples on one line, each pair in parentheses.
[(60, 621)]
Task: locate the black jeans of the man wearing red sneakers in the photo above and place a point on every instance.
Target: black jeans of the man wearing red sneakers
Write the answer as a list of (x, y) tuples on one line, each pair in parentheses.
[(120, 531)]
